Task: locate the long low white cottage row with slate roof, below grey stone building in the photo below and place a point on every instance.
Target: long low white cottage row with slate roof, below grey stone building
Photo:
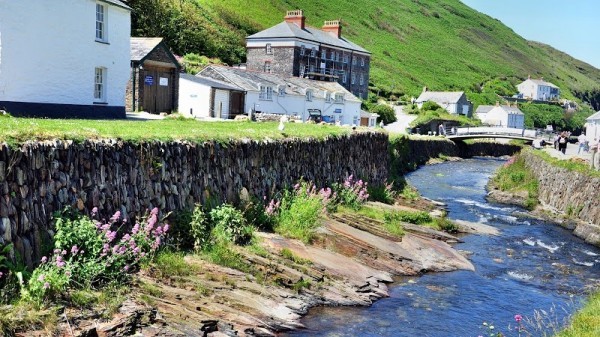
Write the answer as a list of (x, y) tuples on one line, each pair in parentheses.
[(223, 92)]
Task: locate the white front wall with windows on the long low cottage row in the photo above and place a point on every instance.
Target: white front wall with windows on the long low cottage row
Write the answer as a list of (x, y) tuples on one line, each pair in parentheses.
[(297, 105)]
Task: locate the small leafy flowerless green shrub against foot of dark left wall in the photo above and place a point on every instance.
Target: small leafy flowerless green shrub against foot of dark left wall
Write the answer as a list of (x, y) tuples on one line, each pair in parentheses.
[(229, 225)]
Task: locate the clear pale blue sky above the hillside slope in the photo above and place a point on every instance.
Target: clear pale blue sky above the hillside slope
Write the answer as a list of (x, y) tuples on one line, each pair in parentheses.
[(571, 26)]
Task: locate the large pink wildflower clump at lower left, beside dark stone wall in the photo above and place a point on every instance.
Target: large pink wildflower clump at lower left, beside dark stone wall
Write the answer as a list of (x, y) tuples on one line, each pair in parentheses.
[(89, 253)]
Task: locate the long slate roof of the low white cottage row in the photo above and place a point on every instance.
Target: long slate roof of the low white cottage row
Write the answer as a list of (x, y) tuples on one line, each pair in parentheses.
[(252, 80)]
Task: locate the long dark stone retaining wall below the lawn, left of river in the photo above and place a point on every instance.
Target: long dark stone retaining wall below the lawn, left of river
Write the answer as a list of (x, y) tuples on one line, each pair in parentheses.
[(42, 177)]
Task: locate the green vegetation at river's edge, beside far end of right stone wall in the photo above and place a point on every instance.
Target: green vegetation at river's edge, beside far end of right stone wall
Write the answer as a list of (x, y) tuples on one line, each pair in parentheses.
[(515, 177)]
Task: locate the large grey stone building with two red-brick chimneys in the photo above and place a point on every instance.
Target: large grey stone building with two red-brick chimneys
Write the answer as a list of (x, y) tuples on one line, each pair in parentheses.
[(292, 48)]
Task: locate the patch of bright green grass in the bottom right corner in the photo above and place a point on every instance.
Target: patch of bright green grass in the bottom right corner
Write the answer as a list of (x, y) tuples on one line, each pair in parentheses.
[(586, 321)]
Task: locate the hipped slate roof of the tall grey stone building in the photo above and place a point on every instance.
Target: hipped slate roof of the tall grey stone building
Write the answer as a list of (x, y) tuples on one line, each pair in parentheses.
[(287, 30)]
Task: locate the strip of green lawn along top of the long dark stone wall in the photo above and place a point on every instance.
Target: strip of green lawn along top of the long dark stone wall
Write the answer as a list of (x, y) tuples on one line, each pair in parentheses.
[(18, 130)]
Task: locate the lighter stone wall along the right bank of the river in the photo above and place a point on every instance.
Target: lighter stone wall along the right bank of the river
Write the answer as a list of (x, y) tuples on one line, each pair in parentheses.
[(571, 192)]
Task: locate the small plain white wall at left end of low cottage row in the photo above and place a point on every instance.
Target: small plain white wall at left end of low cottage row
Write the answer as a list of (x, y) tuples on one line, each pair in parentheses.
[(194, 98)]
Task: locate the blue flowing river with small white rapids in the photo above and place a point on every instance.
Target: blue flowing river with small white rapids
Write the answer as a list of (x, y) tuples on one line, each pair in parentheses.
[(532, 267)]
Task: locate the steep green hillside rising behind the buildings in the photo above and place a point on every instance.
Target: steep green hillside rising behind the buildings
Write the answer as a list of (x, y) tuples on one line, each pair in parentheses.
[(441, 44)]
